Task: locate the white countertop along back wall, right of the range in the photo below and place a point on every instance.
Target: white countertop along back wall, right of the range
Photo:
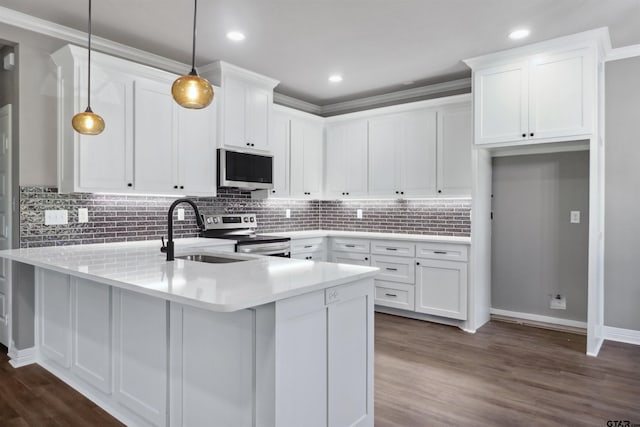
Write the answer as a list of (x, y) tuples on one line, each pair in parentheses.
[(368, 235)]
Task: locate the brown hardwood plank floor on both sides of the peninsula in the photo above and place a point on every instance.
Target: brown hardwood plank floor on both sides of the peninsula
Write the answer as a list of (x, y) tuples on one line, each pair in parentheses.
[(426, 375)]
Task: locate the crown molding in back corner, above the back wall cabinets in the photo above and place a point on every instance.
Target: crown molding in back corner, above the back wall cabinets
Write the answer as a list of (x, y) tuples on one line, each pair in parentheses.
[(371, 102)]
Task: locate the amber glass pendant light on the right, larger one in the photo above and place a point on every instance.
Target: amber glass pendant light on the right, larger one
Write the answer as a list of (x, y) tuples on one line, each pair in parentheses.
[(192, 91)]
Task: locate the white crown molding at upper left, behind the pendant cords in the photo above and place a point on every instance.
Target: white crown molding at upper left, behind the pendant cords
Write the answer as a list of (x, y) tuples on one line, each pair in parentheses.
[(48, 28)]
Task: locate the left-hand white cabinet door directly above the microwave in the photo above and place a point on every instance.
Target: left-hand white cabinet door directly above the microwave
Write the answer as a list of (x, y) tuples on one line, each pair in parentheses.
[(234, 113)]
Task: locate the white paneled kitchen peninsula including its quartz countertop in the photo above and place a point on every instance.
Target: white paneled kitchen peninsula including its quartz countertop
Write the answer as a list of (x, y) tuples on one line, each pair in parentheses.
[(247, 341)]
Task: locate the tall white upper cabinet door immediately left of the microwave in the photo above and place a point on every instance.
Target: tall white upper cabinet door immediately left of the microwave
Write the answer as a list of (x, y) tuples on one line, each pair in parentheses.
[(197, 151)]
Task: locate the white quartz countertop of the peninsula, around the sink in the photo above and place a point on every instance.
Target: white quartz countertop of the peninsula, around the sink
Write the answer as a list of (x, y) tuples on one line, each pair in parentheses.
[(141, 267)]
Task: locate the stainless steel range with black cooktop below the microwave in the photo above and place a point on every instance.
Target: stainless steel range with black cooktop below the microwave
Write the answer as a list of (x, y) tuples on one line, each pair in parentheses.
[(241, 228)]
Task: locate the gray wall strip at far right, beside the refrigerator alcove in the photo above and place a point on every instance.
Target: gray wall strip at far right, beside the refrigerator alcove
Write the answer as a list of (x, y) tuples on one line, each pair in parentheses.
[(622, 195)]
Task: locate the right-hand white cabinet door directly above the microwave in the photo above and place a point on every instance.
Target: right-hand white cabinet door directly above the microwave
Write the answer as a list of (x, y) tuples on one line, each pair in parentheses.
[(258, 115)]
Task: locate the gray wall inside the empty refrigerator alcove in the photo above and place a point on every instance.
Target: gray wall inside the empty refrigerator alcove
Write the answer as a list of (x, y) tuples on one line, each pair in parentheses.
[(536, 251)]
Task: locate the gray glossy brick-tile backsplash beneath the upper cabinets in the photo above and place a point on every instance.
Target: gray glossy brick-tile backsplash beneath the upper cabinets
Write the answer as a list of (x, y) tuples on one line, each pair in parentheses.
[(127, 218)]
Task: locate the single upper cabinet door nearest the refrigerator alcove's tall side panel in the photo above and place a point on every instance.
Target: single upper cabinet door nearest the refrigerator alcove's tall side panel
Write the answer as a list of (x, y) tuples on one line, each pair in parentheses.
[(454, 150)]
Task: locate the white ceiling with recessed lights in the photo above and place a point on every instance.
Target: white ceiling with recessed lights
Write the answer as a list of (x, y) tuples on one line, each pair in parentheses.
[(377, 45)]
